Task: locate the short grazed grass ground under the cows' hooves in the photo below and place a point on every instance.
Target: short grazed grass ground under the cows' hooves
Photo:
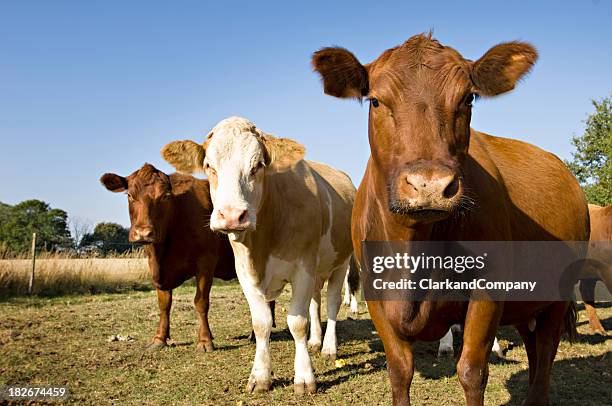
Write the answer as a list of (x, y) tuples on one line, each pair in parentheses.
[(64, 340)]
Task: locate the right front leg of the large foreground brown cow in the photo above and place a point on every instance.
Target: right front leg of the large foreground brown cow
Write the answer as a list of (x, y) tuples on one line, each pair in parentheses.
[(479, 332)]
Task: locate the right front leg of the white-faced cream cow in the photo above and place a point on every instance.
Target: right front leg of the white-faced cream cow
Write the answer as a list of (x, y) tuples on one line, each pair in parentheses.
[(261, 316)]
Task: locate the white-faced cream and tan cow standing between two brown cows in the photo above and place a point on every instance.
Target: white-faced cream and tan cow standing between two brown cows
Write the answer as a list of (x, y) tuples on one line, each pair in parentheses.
[(288, 220)]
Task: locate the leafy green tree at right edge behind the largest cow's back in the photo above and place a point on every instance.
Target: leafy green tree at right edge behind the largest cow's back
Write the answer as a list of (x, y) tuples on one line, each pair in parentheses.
[(592, 161)]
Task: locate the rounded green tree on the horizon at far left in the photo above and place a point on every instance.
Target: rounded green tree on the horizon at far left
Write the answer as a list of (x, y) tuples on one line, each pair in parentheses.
[(17, 223)]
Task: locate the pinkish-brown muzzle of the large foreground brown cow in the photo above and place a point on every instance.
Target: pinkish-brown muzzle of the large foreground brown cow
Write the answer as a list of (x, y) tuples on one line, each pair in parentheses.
[(426, 192)]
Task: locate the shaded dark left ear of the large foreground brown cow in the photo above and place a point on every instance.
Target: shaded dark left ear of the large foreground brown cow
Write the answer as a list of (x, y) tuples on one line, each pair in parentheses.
[(342, 74)]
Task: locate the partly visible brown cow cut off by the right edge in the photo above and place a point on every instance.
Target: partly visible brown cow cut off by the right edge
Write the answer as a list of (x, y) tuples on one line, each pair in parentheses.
[(601, 230)]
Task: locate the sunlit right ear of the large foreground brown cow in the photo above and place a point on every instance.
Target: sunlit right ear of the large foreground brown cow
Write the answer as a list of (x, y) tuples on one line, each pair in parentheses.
[(502, 67)]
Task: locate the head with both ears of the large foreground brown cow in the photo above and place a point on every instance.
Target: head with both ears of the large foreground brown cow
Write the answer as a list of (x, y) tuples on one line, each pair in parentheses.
[(421, 96)]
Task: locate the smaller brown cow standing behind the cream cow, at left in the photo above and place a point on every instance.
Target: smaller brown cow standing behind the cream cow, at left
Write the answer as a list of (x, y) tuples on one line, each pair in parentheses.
[(169, 214)]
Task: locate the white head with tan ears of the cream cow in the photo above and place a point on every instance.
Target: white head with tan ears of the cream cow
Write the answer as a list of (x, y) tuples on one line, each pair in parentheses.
[(235, 157)]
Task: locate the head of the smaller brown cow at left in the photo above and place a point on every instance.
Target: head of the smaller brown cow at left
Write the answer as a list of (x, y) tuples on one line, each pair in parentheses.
[(149, 197)]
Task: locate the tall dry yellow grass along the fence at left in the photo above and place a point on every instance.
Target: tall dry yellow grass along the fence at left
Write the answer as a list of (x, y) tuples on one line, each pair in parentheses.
[(56, 275)]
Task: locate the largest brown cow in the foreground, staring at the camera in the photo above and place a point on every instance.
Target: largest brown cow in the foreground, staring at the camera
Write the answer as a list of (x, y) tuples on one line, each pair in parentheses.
[(431, 177)]
